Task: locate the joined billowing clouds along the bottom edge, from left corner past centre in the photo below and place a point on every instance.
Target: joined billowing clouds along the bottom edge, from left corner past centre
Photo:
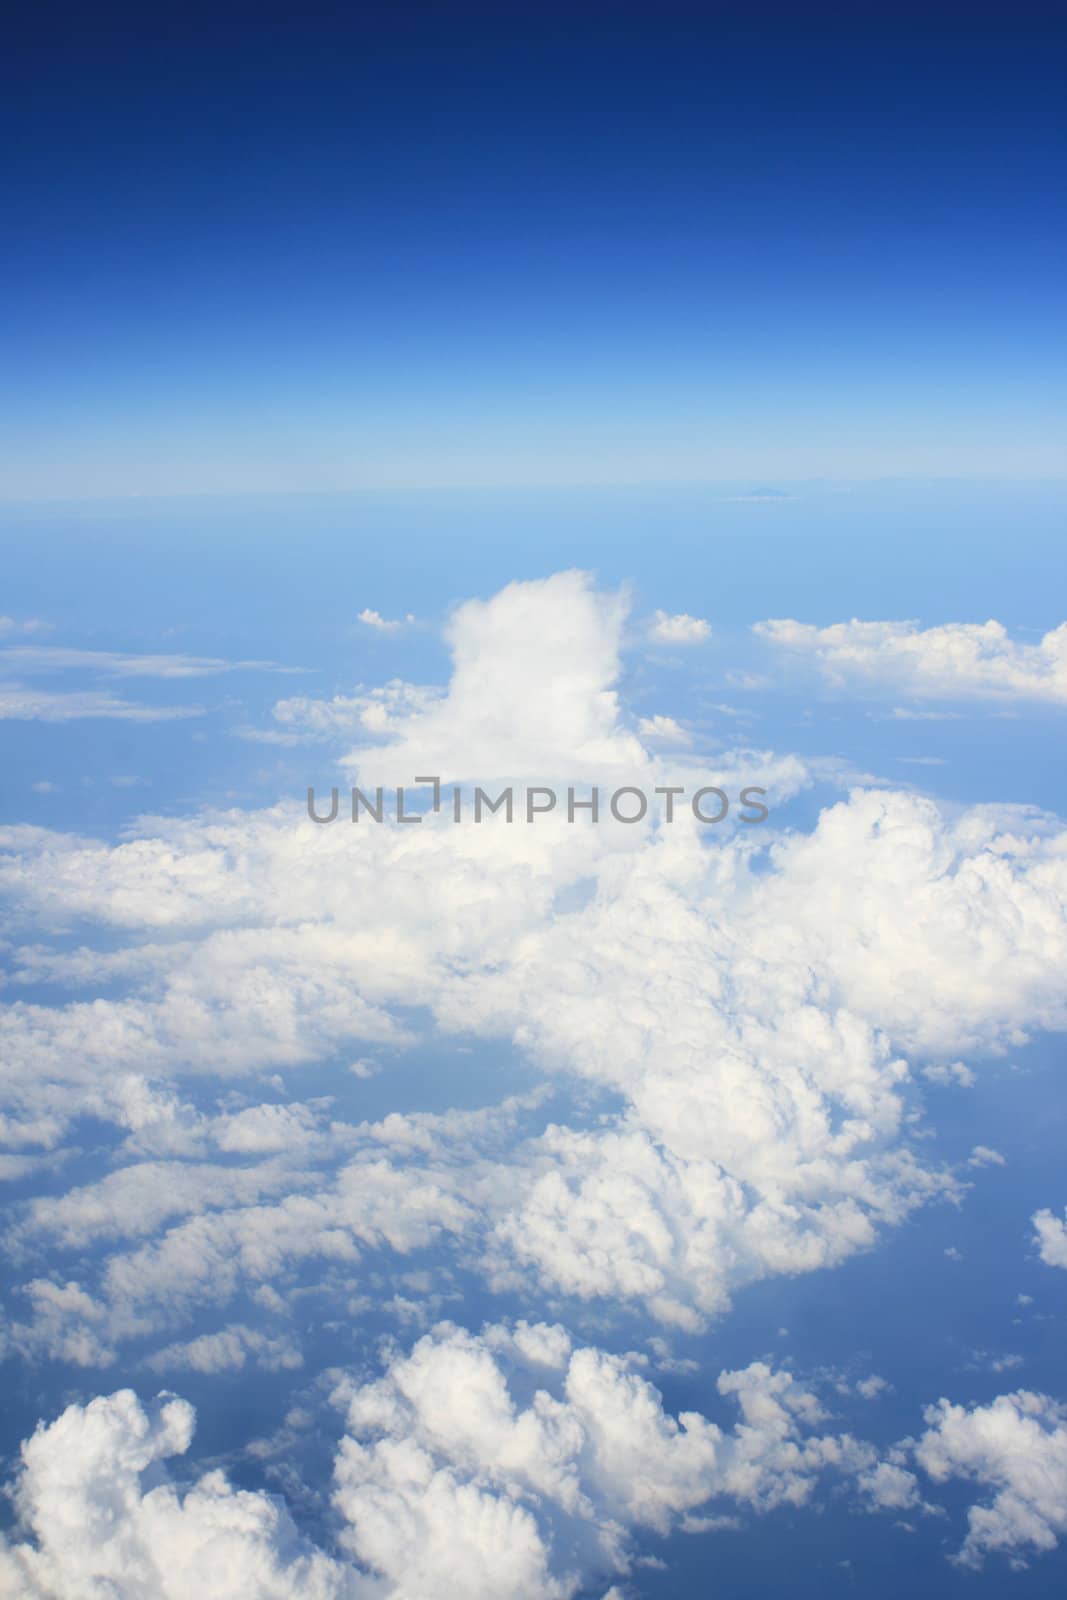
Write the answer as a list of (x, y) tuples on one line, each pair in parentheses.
[(454, 1474)]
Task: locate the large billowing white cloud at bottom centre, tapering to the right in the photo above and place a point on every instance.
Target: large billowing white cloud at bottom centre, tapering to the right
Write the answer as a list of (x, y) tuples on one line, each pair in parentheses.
[(564, 1476)]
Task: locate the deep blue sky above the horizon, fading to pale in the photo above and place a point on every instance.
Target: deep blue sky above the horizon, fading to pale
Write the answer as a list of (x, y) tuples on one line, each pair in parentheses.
[(450, 244)]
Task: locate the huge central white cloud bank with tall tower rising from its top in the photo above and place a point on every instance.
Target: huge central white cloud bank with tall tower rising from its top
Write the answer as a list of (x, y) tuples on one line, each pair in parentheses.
[(746, 1007)]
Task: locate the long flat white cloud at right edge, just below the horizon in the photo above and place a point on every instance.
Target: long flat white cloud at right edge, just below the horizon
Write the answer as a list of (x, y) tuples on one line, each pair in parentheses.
[(954, 660)]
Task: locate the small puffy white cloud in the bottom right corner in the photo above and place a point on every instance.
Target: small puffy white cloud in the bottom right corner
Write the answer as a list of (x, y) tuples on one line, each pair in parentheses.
[(1017, 1447)]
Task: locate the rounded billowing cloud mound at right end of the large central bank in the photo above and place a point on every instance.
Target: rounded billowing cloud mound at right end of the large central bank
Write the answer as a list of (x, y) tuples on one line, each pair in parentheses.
[(943, 930)]
